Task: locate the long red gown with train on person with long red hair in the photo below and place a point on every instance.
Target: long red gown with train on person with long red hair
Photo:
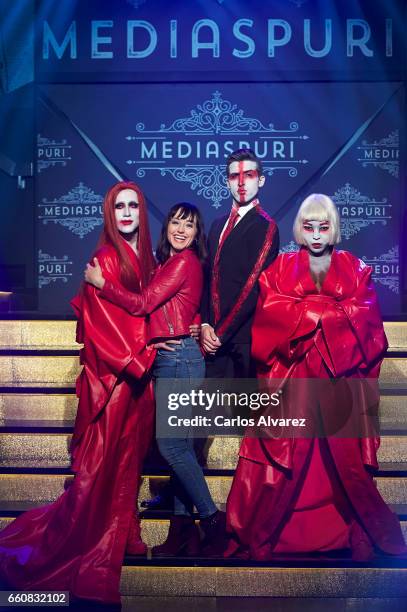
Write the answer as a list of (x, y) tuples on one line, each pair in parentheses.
[(77, 543)]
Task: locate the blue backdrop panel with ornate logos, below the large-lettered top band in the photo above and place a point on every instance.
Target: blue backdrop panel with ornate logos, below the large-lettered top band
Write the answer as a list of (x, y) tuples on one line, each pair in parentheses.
[(342, 139)]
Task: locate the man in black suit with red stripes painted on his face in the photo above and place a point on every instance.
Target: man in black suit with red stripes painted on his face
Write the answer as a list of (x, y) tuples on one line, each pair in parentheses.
[(241, 245)]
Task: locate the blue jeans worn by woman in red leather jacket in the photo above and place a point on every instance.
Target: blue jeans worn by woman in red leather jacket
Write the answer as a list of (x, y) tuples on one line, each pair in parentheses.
[(190, 487)]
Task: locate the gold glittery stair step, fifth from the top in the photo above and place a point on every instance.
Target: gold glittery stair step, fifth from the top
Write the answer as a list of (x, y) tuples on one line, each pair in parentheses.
[(44, 488)]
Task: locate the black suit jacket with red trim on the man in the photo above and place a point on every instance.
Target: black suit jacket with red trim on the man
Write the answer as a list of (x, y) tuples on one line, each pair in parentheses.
[(237, 259)]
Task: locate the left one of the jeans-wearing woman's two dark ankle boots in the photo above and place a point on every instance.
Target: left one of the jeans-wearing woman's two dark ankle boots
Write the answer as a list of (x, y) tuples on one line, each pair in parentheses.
[(182, 539)]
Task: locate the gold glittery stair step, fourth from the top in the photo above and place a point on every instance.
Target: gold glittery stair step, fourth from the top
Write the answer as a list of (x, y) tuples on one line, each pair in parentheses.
[(51, 450)]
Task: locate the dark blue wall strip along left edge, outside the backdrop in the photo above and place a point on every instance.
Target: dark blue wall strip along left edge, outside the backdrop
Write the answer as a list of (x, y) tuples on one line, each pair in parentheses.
[(17, 131)]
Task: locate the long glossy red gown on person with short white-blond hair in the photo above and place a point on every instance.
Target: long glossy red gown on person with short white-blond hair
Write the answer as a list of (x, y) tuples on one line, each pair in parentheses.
[(302, 494)]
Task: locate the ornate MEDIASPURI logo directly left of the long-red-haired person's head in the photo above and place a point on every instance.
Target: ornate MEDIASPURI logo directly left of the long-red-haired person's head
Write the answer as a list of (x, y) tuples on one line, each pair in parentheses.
[(79, 210)]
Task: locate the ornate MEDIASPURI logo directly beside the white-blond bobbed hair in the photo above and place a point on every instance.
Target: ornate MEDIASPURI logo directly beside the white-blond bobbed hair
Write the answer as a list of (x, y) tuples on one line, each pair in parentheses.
[(358, 211)]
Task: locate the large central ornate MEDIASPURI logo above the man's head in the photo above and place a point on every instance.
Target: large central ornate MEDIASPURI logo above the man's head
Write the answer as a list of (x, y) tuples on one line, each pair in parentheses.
[(214, 129)]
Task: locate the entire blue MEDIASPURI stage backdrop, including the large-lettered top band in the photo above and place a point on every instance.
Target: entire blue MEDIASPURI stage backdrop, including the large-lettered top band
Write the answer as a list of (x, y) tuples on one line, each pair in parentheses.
[(162, 92)]
